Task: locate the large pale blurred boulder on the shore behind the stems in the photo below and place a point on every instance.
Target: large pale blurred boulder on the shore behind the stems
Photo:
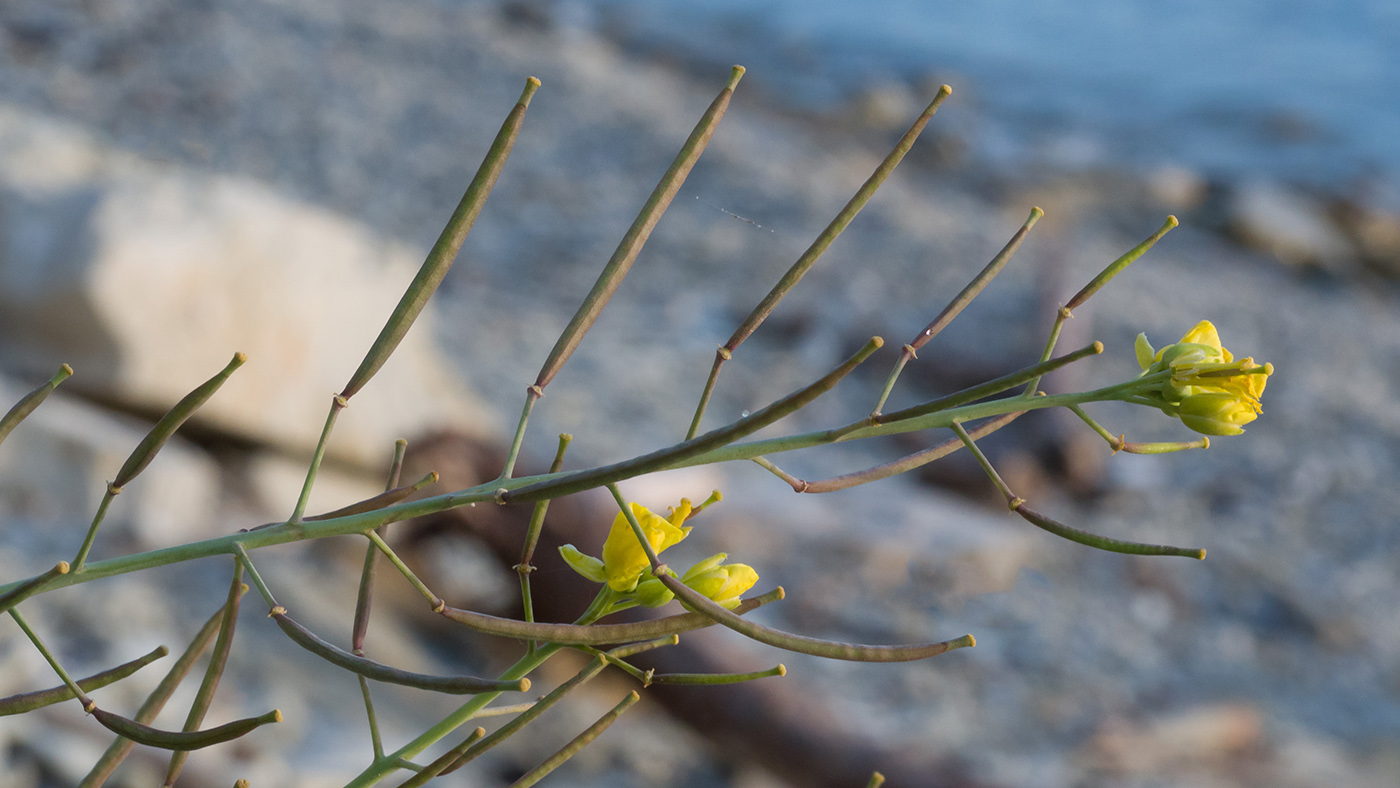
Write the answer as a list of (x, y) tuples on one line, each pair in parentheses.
[(148, 278)]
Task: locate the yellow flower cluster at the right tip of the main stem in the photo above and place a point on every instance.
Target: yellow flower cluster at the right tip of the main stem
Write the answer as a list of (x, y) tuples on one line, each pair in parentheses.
[(1207, 388)]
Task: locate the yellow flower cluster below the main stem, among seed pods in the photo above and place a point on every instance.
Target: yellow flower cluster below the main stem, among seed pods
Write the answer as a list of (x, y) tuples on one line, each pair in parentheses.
[(626, 570)]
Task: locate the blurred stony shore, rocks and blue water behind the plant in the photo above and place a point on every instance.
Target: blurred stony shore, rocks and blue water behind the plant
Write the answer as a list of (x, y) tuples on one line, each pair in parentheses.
[(180, 181)]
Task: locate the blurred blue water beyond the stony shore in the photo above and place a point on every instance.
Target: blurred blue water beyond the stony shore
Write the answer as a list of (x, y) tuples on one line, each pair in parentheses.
[(1298, 90)]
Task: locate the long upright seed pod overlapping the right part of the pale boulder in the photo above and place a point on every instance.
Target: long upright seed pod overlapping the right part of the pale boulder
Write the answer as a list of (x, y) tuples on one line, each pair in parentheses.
[(444, 253)]
